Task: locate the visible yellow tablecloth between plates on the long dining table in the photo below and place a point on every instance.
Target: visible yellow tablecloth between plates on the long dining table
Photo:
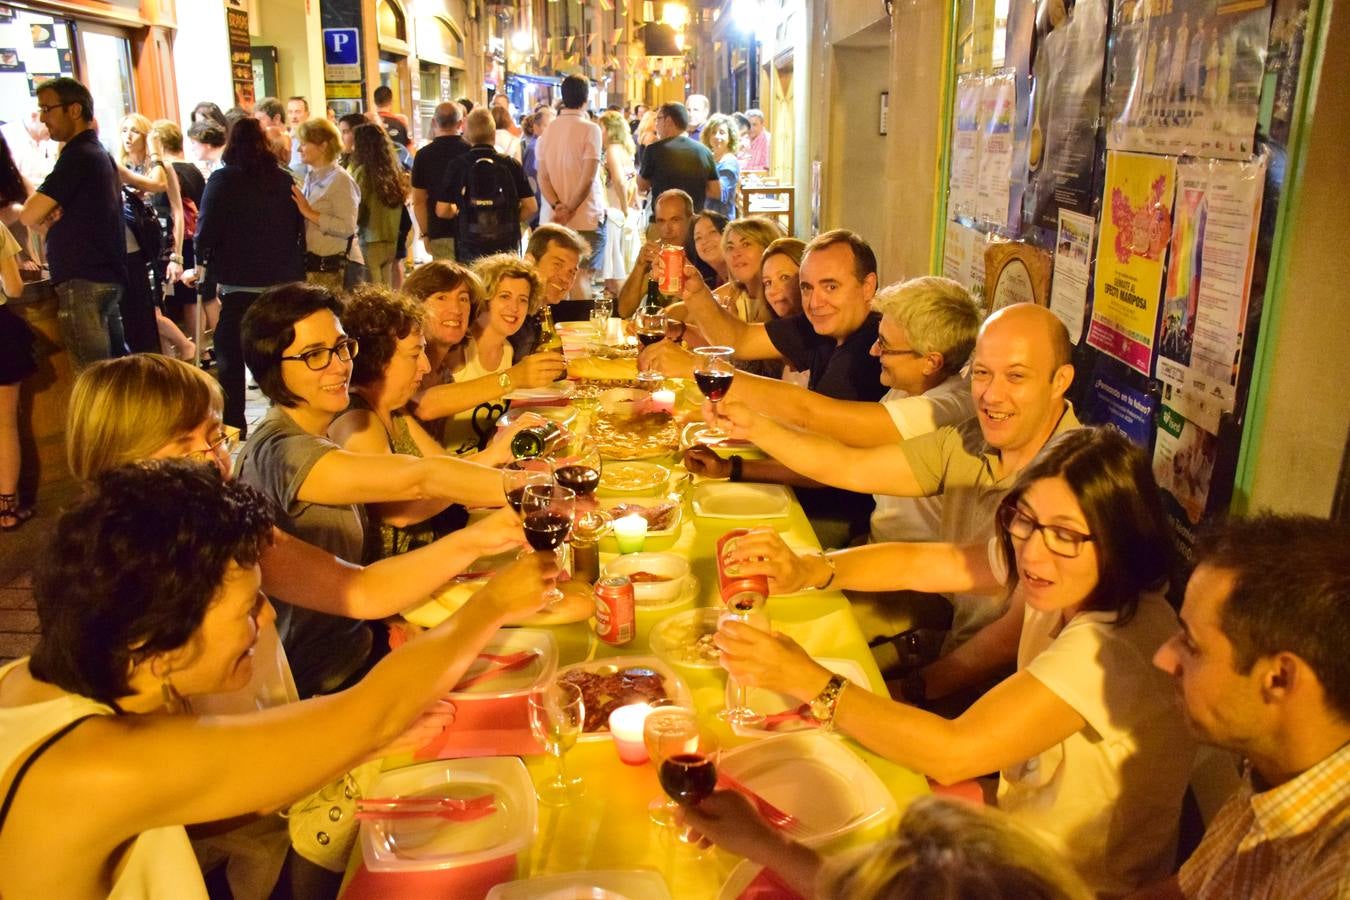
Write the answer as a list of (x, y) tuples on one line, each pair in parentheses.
[(608, 828)]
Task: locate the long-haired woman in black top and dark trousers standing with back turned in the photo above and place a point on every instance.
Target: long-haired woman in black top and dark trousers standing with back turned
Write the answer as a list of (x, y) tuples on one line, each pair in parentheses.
[(250, 237)]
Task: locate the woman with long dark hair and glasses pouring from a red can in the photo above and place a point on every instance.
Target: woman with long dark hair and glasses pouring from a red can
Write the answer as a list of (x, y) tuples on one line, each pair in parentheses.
[(1091, 748)]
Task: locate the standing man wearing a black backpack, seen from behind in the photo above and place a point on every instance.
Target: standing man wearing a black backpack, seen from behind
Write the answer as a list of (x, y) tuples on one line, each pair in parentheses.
[(485, 194)]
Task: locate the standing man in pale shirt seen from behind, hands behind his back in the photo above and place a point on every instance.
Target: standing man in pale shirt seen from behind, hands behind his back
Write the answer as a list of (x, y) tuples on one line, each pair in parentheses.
[(569, 156)]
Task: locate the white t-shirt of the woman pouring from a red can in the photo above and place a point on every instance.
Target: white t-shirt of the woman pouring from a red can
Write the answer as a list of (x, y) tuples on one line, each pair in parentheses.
[(1109, 798)]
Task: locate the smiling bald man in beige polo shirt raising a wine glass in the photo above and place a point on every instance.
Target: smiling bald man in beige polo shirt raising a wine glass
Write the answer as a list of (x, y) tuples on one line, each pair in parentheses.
[(1020, 374)]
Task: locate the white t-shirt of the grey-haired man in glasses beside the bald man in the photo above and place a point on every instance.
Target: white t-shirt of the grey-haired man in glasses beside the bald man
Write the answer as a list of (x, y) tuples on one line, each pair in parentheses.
[(919, 519)]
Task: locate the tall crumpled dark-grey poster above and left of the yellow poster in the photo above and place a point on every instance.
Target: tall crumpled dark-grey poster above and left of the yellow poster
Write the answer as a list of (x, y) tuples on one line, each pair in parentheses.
[(1066, 107)]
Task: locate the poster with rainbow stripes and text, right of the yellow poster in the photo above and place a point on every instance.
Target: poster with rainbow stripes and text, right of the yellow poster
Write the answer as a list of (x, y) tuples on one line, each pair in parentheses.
[(1206, 293)]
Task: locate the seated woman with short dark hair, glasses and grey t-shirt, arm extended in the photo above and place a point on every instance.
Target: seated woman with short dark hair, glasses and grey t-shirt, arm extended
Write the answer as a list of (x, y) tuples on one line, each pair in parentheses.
[(296, 347)]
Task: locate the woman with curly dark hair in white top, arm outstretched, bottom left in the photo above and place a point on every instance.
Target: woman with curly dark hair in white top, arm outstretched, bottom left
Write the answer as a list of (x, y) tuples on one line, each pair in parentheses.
[(151, 594)]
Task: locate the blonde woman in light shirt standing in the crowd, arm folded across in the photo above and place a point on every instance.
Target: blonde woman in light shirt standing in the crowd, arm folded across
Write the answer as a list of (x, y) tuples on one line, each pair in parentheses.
[(329, 202)]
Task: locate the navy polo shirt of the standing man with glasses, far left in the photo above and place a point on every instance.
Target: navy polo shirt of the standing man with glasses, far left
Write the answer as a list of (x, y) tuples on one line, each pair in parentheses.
[(90, 241)]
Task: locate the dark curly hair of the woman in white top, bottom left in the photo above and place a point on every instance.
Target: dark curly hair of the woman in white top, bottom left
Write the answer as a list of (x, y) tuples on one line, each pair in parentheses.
[(134, 566)]
